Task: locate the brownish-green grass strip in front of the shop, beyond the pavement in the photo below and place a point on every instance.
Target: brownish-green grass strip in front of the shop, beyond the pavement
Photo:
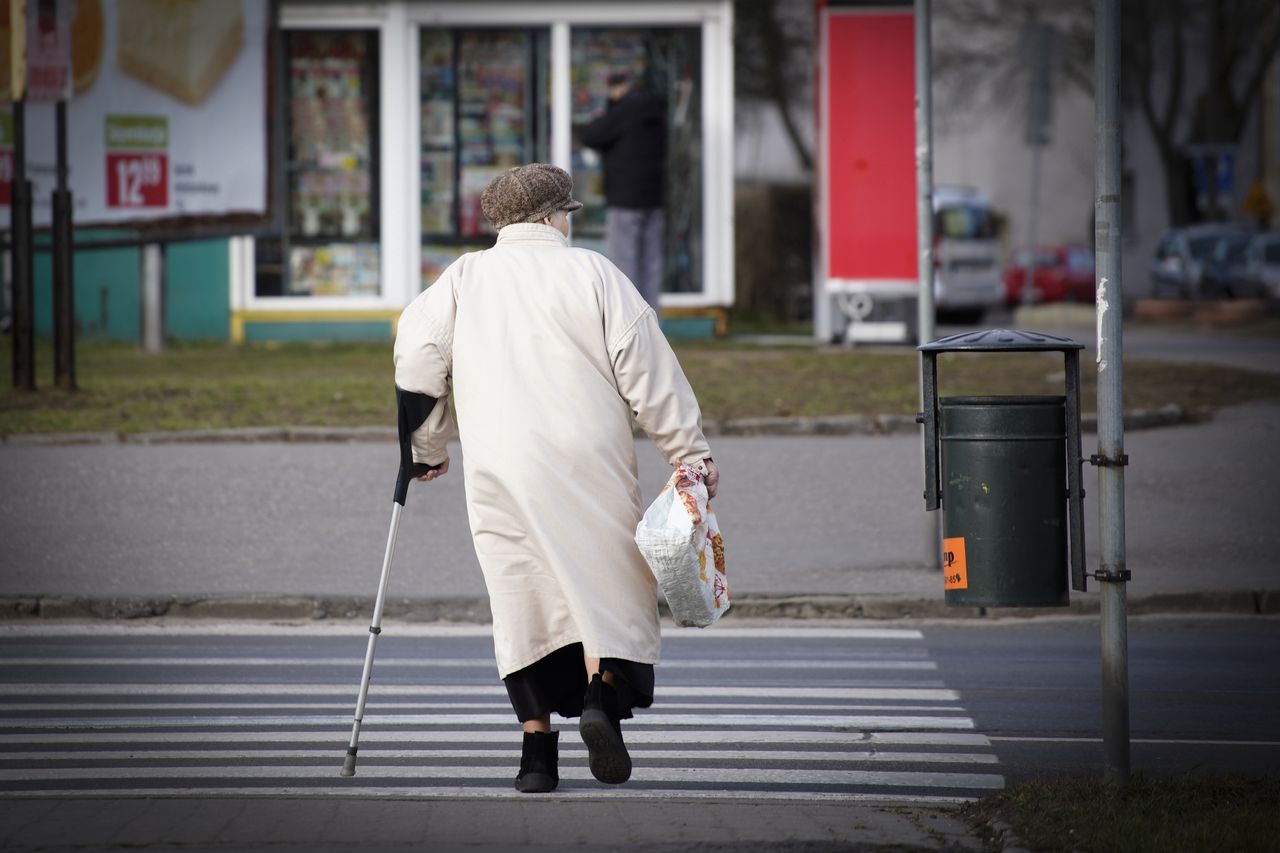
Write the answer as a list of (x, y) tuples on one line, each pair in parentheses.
[(126, 390)]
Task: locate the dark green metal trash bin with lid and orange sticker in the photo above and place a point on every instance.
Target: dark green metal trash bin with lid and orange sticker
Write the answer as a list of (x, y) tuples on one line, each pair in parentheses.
[(1007, 473)]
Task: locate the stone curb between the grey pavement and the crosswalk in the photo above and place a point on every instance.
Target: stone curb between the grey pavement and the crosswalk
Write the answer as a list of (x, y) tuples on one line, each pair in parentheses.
[(472, 610)]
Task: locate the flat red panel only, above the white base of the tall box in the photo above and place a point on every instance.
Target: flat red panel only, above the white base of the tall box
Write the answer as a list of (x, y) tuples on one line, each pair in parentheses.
[(870, 143)]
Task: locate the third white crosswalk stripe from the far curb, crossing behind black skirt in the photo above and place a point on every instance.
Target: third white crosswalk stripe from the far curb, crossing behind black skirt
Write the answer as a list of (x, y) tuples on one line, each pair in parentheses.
[(916, 692)]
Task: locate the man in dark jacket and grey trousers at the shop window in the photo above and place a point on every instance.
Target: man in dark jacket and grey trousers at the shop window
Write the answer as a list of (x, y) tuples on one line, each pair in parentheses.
[(632, 138)]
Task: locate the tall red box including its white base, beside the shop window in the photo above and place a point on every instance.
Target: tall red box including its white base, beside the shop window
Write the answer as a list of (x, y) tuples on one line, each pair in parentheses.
[(867, 273)]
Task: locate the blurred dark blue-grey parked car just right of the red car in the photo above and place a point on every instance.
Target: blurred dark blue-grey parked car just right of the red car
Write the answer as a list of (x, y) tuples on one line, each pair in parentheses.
[(1199, 261)]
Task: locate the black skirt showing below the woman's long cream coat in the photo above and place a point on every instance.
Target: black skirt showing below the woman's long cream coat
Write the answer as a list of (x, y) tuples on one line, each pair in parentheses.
[(557, 683)]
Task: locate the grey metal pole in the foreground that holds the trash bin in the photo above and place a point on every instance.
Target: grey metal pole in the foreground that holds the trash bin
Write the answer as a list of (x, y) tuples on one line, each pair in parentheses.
[(1110, 458)]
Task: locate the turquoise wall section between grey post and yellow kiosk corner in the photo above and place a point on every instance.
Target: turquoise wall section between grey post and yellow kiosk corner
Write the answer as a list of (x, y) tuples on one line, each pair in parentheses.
[(198, 291)]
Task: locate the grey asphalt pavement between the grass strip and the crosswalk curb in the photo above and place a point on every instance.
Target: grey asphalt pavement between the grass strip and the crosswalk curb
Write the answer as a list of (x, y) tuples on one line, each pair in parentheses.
[(799, 514)]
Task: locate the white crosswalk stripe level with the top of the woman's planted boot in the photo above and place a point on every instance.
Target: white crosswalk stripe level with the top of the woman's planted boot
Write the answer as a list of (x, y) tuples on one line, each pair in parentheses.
[(511, 735)]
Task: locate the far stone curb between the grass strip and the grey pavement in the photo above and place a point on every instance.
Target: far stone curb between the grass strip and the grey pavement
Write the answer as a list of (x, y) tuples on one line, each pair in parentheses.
[(1168, 416)]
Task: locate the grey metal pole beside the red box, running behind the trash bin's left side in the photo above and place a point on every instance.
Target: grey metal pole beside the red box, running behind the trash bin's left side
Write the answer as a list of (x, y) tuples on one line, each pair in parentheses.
[(925, 234)]
